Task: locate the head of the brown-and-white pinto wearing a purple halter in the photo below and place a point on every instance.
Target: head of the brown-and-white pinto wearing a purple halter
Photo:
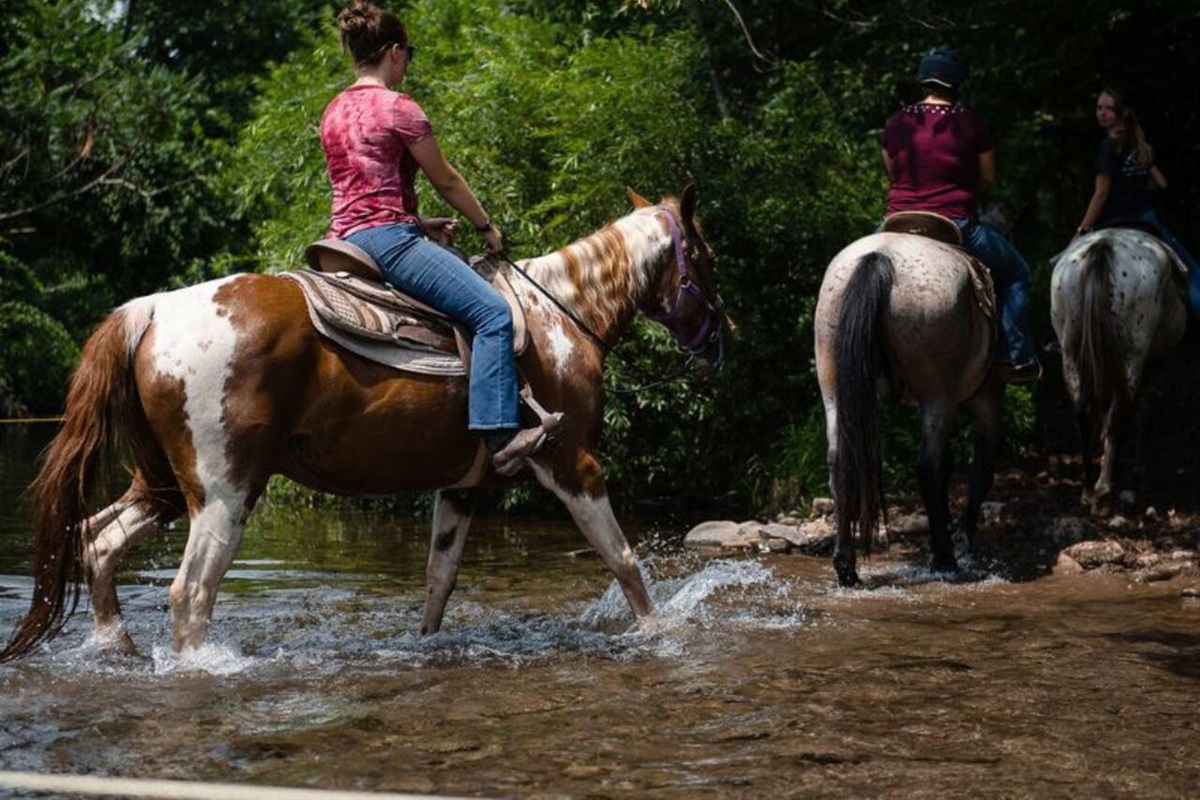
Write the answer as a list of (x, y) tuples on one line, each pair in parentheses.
[(688, 303)]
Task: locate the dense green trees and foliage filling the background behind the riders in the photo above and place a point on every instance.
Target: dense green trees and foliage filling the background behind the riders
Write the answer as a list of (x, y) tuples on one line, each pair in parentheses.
[(161, 142)]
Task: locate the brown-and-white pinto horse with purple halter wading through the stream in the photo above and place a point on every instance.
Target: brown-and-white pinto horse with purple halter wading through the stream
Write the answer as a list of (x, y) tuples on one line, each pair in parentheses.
[(219, 387)]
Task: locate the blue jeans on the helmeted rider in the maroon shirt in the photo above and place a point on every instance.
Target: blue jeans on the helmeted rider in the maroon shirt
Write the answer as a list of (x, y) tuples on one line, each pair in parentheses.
[(1011, 278)]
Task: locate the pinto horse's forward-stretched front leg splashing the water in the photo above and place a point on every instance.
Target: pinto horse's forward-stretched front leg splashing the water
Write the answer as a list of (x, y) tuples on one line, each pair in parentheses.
[(583, 490)]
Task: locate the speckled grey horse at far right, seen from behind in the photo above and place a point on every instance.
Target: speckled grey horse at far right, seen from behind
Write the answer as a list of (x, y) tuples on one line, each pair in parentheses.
[(1118, 305)]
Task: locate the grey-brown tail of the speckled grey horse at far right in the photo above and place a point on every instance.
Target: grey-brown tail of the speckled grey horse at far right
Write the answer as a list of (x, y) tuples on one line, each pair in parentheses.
[(1101, 375)]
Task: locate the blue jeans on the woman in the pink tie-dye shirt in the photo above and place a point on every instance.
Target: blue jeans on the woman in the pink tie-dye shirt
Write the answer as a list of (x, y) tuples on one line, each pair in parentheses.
[(435, 276)]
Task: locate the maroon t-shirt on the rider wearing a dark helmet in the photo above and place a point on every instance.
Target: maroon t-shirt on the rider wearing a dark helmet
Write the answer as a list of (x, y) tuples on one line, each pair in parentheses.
[(935, 159)]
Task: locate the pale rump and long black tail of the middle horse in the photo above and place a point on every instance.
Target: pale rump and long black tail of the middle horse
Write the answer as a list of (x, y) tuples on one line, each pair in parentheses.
[(897, 311)]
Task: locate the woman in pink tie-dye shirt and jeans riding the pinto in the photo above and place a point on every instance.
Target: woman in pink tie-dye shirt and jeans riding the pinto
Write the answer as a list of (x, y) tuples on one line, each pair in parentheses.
[(376, 141)]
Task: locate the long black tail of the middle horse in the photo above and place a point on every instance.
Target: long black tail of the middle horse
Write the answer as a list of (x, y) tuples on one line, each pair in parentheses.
[(857, 468)]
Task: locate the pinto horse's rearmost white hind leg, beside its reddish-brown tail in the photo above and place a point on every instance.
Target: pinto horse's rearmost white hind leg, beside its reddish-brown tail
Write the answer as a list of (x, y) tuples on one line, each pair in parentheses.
[(118, 528)]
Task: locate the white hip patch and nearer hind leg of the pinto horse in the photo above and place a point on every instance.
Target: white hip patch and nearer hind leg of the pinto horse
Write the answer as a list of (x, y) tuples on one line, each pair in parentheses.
[(196, 344)]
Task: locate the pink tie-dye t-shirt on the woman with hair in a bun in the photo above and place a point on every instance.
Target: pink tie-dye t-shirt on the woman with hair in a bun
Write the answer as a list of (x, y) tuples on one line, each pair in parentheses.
[(367, 133)]
